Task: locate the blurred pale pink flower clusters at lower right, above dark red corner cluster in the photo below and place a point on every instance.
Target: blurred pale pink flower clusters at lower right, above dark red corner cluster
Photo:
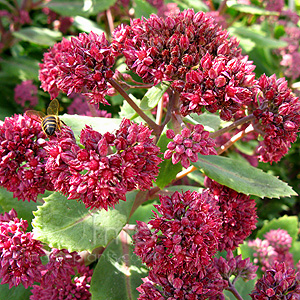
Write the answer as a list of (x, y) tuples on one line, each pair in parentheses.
[(274, 248)]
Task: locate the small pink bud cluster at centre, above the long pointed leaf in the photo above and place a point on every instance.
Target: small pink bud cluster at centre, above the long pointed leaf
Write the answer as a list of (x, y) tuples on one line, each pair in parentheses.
[(185, 146)]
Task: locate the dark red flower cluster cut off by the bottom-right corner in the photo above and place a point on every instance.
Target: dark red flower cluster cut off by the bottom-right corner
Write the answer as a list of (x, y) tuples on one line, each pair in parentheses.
[(279, 282)]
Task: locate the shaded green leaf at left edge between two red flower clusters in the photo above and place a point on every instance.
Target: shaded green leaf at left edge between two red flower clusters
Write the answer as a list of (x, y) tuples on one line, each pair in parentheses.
[(24, 209)]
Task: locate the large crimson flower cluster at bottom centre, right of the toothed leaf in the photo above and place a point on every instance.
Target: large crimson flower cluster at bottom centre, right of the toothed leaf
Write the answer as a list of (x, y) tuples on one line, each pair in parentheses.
[(178, 246)]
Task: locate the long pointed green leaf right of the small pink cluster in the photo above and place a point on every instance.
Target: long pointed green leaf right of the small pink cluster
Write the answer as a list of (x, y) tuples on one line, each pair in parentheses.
[(242, 178)]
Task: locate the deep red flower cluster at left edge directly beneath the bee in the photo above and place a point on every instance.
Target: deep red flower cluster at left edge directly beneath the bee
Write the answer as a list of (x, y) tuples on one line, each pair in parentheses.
[(23, 158)]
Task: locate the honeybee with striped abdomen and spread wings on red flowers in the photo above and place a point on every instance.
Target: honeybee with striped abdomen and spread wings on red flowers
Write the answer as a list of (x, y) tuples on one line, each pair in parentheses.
[(49, 122)]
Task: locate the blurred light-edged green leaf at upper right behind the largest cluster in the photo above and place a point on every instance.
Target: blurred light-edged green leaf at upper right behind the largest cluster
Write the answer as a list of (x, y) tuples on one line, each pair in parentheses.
[(258, 37)]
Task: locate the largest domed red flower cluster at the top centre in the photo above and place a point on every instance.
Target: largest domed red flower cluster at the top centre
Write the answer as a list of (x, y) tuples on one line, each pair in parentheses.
[(189, 49)]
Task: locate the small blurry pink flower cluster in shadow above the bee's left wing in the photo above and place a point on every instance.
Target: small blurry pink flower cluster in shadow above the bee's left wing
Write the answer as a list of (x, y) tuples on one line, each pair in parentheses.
[(26, 91)]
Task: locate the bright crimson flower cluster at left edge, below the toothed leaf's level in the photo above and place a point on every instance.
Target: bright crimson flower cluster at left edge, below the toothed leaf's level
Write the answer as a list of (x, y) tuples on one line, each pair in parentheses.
[(20, 254)]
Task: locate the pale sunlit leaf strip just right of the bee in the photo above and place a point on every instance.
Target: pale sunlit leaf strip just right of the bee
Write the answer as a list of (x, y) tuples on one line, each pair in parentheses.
[(102, 125)]
